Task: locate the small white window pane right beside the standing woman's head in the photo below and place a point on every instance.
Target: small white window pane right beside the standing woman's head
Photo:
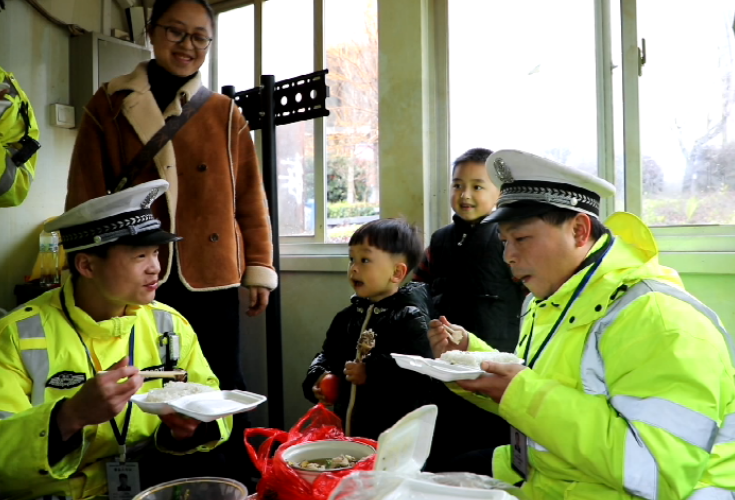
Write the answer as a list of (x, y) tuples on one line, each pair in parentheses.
[(235, 51)]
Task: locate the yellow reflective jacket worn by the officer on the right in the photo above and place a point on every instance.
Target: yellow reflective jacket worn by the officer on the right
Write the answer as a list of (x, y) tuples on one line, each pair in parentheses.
[(634, 396)]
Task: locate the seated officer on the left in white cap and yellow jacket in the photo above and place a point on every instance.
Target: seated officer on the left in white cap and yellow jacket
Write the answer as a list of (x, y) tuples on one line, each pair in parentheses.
[(70, 360)]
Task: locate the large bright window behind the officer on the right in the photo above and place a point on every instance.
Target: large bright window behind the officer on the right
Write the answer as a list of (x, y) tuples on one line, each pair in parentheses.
[(563, 82)]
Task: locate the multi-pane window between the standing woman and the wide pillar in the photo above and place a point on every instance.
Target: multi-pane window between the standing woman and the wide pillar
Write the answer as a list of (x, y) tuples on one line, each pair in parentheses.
[(327, 168)]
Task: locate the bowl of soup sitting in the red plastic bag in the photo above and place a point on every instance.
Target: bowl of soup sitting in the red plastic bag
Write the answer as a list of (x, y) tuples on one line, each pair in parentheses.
[(314, 458)]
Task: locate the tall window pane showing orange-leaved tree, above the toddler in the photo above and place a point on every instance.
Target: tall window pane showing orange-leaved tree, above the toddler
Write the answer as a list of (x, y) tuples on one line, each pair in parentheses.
[(351, 42)]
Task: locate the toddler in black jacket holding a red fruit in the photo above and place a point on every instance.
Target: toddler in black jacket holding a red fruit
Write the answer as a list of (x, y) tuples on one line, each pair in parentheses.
[(382, 254)]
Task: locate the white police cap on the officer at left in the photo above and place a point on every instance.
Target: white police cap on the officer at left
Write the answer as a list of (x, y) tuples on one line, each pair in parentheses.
[(124, 217)]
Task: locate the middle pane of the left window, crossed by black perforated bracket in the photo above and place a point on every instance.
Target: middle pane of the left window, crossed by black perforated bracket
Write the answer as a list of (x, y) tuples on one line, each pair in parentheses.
[(288, 51)]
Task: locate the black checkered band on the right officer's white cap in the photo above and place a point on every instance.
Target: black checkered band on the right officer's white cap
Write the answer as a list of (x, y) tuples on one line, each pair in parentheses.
[(552, 193)]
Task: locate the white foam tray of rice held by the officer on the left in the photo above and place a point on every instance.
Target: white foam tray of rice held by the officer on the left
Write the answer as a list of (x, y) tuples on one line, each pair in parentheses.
[(205, 406)]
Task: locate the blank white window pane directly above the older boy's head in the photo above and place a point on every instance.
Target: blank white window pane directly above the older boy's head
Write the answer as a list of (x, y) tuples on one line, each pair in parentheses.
[(522, 76)]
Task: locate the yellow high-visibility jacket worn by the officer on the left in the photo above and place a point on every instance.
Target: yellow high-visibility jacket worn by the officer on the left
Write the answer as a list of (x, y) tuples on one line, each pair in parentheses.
[(42, 361)]
